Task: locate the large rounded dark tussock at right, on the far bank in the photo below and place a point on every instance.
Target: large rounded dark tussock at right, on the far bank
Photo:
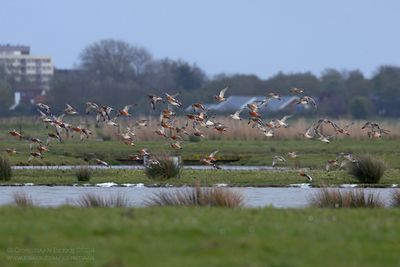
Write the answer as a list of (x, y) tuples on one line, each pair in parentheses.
[(367, 169)]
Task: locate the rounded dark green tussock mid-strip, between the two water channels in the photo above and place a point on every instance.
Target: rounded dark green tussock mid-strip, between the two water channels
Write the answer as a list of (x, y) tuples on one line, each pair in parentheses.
[(167, 167)]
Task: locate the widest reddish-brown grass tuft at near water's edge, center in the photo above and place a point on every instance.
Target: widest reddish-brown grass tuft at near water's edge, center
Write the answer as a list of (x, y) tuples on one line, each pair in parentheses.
[(197, 196)]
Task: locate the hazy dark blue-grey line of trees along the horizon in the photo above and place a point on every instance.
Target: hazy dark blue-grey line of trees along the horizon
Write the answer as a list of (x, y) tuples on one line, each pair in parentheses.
[(117, 73)]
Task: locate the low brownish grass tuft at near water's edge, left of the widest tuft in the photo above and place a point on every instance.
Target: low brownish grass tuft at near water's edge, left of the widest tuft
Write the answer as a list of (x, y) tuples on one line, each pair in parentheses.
[(90, 200)]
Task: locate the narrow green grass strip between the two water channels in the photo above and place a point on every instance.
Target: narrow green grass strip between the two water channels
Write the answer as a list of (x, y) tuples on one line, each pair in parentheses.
[(190, 177)]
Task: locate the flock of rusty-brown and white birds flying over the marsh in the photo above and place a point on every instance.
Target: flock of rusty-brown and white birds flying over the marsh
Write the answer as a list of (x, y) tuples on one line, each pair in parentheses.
[(198, 119)]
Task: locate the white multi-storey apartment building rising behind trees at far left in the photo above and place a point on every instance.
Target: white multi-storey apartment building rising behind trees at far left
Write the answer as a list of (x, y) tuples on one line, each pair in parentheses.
[(18, 62)]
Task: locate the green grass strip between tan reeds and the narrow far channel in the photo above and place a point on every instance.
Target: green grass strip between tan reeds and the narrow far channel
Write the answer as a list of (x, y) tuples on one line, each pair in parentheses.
[(312, 153)]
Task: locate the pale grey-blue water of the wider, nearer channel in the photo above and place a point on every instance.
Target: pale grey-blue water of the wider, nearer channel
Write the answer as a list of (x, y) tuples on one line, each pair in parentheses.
[(136, 195)]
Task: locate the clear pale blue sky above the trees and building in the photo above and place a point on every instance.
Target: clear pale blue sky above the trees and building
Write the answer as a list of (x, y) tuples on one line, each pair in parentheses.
[(220, 36)]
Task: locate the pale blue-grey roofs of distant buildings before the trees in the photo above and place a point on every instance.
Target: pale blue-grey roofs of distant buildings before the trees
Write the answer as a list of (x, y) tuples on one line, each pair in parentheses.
[(234, 103)]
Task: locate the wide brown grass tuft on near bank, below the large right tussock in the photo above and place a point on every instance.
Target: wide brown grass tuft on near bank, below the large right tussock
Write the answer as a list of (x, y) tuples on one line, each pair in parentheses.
[(334, 198)]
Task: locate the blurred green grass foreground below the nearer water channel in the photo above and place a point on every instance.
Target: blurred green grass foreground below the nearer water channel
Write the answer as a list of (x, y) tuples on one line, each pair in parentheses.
[(199, 237)]
